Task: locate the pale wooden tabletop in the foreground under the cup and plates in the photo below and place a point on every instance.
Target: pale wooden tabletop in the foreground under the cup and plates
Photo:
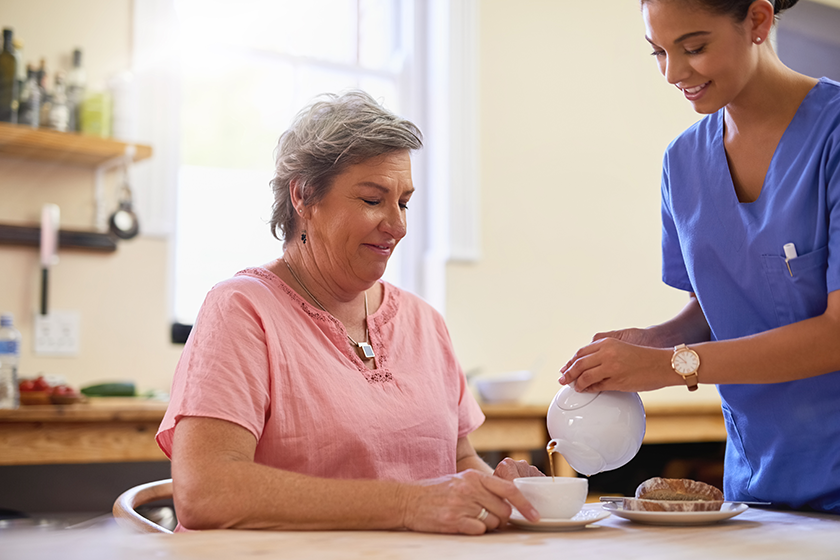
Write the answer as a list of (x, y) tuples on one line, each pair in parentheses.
[(755, 534)]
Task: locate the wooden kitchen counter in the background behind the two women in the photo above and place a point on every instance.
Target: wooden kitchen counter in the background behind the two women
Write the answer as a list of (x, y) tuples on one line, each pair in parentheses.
[(116, 429)]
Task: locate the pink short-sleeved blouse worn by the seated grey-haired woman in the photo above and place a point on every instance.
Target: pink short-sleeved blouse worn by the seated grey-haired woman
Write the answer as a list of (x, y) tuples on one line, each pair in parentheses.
[(263, 358)]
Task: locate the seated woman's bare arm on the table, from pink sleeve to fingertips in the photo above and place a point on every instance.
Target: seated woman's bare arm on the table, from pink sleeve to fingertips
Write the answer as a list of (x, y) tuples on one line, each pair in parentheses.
[(217, 485)]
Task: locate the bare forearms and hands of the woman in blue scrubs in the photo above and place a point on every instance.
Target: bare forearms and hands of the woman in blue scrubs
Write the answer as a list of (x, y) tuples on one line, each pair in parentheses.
[(797, 351)]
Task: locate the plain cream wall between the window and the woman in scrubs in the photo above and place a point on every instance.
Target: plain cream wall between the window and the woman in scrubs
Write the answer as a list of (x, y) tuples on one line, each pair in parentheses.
[(574, 119)]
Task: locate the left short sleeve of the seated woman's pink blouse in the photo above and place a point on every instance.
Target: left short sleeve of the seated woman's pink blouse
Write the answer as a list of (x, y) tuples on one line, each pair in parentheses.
[(223, 372)]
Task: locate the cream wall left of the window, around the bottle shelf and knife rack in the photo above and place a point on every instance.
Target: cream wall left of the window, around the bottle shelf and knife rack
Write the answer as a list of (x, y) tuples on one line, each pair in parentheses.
[(121, 297)]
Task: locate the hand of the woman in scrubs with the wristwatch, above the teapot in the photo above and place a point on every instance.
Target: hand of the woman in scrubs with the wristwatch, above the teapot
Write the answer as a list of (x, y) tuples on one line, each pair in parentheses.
[(610, 364)]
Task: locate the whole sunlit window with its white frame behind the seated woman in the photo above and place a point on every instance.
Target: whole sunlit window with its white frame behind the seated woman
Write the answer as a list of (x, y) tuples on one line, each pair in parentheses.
[(219, 81)]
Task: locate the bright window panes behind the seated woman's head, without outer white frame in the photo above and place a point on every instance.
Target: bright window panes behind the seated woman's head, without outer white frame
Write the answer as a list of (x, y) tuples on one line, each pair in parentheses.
[(246, 69)]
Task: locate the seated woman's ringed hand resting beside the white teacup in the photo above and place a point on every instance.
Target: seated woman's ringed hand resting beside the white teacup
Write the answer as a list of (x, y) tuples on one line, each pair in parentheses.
[(453, 504)]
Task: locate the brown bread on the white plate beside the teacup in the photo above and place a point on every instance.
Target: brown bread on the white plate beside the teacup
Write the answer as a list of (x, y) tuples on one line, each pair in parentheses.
[(674, 494)]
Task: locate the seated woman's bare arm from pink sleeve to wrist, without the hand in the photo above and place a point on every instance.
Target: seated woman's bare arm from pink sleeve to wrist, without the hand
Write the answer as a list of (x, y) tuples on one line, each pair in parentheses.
[(217, 485)]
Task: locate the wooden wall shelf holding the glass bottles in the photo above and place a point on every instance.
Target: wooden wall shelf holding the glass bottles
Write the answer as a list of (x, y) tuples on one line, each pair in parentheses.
[(63, 147)]
